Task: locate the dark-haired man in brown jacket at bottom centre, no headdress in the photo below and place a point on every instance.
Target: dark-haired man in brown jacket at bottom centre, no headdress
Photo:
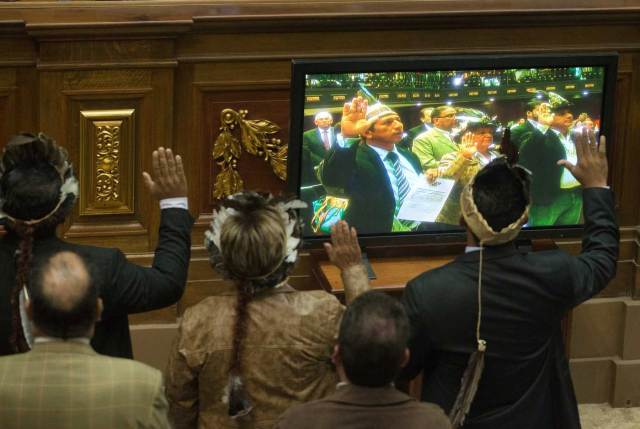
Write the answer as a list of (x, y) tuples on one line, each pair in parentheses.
[(371, 350)]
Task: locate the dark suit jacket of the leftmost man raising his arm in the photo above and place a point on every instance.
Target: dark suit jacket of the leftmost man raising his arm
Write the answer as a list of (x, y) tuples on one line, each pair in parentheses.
[(125, 288)]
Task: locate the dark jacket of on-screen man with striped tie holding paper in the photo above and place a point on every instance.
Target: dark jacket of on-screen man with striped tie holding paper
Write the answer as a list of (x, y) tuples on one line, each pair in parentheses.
[(359, 172)]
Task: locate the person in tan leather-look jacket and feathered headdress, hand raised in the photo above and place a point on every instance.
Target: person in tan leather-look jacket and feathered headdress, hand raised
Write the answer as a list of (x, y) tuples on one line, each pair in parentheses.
[(241, 359)]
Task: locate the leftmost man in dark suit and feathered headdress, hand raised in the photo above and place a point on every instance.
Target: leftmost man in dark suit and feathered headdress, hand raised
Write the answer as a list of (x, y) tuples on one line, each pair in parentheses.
[(37, 192)]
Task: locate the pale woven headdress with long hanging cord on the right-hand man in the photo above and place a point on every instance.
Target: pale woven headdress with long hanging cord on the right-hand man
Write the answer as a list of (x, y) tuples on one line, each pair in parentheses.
[(503, 168)]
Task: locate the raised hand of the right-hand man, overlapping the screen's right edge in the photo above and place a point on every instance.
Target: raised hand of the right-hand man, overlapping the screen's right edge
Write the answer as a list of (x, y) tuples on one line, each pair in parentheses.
[(592, 169)]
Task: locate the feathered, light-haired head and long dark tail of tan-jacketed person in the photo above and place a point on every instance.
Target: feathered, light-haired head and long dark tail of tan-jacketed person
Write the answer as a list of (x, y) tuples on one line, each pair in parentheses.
[(253, 253)]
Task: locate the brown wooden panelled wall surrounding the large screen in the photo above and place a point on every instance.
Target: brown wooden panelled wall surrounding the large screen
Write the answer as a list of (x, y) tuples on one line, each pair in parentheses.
[(177, 66)]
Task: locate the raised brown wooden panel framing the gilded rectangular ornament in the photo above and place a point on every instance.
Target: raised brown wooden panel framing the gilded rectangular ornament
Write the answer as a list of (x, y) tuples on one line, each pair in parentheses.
[(83, 80)]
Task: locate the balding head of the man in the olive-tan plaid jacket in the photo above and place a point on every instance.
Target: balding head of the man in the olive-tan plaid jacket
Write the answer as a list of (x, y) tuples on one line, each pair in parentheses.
[(63, 307)]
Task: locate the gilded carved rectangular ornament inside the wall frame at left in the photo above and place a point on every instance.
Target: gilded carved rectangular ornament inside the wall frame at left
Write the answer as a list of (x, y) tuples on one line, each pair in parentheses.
[(107, 178)]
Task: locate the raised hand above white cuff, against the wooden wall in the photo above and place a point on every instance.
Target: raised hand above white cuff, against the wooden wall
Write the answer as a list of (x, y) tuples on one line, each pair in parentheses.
[(169, 180)]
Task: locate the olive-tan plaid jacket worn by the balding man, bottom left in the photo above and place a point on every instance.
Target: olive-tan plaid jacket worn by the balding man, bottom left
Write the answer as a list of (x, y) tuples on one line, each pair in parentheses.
[(64, 384)]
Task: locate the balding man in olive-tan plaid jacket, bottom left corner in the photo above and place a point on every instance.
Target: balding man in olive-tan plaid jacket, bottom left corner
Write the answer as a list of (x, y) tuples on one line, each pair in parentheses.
[(62, 381)]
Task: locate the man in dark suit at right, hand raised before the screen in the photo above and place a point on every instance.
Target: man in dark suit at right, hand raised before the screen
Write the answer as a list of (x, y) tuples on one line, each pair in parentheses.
[(486, 326)]
